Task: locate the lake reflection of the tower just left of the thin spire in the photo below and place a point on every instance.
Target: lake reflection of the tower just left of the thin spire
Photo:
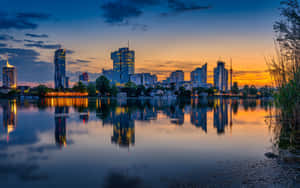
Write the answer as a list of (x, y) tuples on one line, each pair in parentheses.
[(220, 115)]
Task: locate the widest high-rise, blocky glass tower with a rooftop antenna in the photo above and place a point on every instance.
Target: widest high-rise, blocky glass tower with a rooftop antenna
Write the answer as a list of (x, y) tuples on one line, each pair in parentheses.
[(123, 63)]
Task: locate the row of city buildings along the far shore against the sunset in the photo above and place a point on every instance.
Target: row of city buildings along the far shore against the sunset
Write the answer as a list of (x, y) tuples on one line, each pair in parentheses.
[(123, 71)]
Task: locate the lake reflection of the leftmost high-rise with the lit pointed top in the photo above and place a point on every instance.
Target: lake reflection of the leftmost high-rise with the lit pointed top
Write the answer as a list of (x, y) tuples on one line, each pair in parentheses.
[(9, 117)]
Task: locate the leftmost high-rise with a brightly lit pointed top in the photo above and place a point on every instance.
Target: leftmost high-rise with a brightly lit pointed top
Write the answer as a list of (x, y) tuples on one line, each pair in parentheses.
[(9, 76)]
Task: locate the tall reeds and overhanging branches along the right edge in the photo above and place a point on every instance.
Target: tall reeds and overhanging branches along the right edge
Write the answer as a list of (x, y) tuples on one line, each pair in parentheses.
[(285, 71)]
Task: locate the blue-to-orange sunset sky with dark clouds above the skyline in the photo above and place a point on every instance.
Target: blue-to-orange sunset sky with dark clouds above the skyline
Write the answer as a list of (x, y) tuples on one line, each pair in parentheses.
[(167, 35)]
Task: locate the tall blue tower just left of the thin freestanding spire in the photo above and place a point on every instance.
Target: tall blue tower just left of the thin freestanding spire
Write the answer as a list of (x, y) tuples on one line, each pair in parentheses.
[(221, 77)]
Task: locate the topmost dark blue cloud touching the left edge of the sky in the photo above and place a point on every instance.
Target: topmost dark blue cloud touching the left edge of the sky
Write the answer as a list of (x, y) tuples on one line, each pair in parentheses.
[(21, 21)]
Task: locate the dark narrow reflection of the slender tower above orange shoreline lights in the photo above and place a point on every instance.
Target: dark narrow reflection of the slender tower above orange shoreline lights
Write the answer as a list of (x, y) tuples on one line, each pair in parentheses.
[(61, 114)]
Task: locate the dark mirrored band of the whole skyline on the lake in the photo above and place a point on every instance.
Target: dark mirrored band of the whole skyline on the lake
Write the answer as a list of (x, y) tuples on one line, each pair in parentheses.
[(122, 115)]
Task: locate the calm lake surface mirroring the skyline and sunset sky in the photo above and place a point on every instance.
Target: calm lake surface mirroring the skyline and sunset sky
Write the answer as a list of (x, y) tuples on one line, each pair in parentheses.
[(135, 143)]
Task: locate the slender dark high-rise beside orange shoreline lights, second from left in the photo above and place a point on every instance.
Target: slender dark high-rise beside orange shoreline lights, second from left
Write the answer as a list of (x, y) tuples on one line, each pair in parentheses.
[(60, 79)]
